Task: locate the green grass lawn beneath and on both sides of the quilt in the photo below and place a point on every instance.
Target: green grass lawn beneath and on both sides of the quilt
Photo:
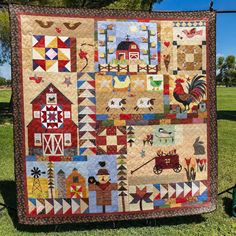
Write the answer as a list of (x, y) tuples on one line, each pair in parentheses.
[(219, 222)]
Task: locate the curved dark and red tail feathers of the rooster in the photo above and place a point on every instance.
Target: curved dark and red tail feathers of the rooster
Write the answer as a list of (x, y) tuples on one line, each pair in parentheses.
[(197, 87)]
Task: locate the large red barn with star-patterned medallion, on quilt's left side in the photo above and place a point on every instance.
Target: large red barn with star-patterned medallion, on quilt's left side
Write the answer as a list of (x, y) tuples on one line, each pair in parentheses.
[(52, 132)]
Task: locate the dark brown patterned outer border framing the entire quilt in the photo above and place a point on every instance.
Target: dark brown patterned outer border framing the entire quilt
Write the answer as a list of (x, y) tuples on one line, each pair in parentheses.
[(18, 112)]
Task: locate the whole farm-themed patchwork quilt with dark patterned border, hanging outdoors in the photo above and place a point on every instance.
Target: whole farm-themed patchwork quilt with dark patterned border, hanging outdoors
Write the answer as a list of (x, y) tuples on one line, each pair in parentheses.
[(114, 114)]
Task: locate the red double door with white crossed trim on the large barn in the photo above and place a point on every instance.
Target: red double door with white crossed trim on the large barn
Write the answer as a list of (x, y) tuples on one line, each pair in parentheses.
[(53, 144)]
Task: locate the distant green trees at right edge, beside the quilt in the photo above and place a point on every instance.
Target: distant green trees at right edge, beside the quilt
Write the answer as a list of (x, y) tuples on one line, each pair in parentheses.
[(226, 71)]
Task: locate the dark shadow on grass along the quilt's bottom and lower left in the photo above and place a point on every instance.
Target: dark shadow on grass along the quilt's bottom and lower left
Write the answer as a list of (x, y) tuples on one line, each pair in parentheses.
[(8, 192)]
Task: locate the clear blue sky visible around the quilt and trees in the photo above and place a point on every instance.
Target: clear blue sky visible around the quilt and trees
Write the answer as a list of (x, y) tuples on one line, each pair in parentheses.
[(226, 33)]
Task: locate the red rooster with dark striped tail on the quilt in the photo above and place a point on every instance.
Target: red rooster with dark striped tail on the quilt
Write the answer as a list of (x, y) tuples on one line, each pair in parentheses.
[(196, 91)]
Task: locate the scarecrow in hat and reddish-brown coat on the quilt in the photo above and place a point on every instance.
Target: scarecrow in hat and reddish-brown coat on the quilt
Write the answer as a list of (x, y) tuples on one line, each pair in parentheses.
[(102, 186)]
